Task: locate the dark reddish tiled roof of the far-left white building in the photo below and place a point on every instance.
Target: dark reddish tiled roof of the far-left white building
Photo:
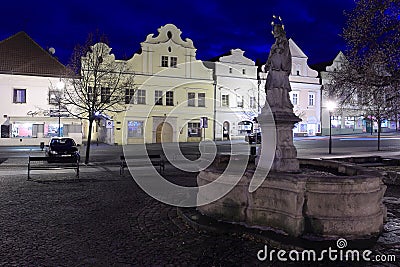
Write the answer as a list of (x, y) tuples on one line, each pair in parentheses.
[(19, 54)]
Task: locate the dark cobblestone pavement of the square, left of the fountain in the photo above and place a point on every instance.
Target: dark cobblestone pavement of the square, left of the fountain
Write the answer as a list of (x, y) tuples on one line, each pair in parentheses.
[(104, 219)]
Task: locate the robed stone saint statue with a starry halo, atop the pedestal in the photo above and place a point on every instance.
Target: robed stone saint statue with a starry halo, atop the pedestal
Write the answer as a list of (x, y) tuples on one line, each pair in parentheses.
[(279, 66)]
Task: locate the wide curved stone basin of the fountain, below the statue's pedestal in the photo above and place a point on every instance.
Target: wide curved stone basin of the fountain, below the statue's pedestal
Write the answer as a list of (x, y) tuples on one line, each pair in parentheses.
[(332, 200)]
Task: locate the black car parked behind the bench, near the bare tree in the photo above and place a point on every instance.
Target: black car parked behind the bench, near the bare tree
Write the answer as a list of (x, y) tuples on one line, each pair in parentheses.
[(62, 149)]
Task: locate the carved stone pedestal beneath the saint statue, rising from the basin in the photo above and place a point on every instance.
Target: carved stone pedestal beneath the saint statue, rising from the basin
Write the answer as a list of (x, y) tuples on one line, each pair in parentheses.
[(282, 122)]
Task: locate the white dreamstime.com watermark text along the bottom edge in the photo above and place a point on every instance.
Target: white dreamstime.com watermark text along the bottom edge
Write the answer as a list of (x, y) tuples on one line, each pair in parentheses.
[(340, 253)]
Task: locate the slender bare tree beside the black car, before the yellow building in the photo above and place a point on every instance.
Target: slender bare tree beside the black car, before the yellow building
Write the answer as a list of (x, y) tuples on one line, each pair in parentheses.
[(97, 85)]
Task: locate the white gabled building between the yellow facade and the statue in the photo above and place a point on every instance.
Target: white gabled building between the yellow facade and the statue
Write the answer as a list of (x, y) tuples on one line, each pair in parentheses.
[(237, 95)]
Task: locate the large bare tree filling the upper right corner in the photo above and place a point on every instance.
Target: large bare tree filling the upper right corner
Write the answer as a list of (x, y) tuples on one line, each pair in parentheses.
[(369, 78)]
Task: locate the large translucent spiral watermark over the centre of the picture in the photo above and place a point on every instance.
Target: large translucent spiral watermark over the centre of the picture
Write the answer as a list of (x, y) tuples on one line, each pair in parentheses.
[(151, 120)]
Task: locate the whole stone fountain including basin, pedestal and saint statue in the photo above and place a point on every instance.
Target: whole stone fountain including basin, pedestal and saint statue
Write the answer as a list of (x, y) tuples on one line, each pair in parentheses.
[(298, 197)]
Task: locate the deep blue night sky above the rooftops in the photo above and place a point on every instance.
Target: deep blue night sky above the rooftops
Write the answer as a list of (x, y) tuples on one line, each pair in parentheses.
[(215, 27)]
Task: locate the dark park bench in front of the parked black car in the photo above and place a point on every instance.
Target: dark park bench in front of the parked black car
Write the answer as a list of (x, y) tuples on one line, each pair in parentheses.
[(50, 163)]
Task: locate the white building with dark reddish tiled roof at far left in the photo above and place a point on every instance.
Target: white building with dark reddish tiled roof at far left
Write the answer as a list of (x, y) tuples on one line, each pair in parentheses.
[(29, 77)]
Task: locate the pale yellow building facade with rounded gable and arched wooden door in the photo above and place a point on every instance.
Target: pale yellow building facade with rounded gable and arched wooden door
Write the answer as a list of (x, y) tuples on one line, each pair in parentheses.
[(173, 98)]
